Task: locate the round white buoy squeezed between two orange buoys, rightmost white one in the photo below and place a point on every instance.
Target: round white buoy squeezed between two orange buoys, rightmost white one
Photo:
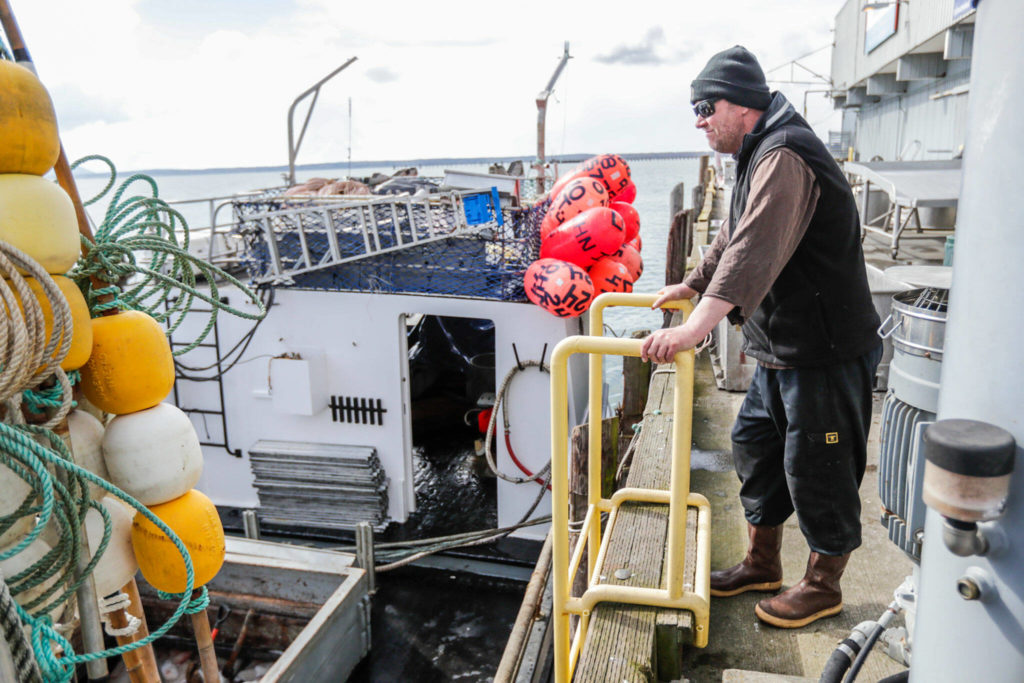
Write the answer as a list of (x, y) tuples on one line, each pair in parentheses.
[(153, 455)]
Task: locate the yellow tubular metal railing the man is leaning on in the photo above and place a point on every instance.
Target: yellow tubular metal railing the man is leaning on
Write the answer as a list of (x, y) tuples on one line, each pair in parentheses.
[(678, 497)]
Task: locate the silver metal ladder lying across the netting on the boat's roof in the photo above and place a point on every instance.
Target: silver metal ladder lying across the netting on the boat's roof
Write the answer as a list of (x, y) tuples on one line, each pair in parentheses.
[(371, 227)]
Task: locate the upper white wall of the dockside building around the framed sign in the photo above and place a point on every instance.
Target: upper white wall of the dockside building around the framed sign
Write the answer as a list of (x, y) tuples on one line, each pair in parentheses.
[(919, 22)]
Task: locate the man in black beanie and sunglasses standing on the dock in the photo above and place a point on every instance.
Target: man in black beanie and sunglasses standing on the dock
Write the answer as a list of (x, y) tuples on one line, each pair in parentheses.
[(789, 267)]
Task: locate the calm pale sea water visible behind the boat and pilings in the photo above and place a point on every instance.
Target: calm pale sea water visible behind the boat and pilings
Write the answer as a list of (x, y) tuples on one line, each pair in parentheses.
[(655, 181)]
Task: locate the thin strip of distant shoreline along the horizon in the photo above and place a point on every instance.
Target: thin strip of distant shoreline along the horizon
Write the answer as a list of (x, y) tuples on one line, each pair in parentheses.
[(562, 159)]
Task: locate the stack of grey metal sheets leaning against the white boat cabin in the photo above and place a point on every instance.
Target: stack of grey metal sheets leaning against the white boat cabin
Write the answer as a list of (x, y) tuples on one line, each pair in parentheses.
[(320, 486)]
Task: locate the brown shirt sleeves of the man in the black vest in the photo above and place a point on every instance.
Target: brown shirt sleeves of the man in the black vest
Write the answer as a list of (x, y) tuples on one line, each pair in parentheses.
[(744, 263)]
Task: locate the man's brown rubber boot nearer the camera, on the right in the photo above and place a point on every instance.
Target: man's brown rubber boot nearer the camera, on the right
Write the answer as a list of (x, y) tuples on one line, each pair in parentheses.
[(817, 596)]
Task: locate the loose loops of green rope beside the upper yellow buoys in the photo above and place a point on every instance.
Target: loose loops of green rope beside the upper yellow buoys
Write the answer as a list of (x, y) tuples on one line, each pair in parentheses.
[(142, 248)]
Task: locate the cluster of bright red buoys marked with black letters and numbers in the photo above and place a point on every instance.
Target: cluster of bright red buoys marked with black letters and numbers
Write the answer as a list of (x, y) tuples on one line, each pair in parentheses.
[(590, 241)]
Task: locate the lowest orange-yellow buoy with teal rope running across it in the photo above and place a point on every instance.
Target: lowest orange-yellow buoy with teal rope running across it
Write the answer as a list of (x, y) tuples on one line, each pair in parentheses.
[(194, 519)]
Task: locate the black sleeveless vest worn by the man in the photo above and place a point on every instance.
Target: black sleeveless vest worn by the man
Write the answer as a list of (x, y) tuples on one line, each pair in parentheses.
[(820, 309)]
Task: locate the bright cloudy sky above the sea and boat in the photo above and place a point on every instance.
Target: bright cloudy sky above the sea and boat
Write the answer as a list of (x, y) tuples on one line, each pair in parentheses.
[(208, 83)]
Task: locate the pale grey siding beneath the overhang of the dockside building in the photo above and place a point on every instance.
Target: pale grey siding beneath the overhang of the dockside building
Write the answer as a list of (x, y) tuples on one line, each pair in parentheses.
[(940, 124)]
